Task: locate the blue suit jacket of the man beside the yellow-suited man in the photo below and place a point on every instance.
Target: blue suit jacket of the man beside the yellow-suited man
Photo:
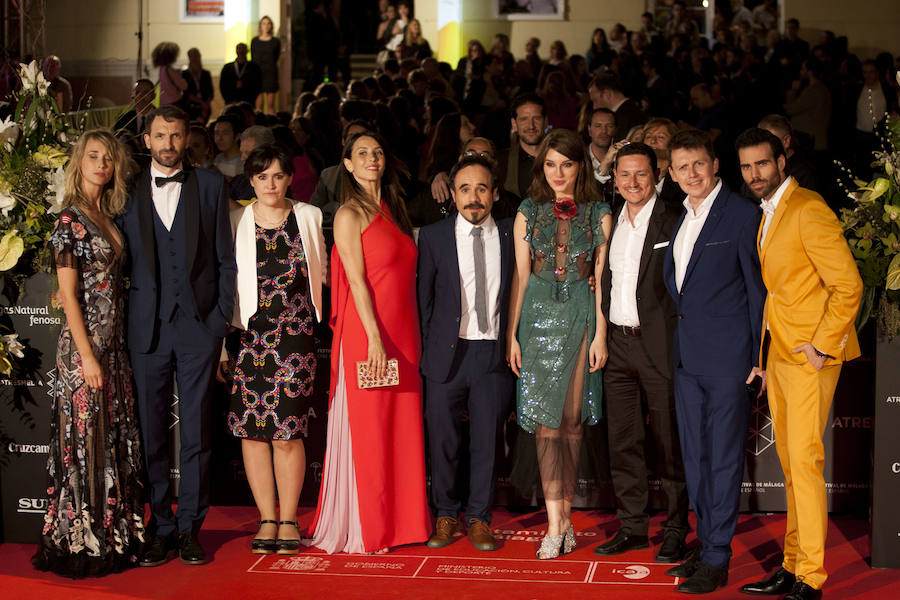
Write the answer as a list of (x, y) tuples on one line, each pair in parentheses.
[(721, 299)]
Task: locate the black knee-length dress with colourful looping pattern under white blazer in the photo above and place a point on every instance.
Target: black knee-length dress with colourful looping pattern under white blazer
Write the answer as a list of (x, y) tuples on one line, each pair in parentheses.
[(276, 363)]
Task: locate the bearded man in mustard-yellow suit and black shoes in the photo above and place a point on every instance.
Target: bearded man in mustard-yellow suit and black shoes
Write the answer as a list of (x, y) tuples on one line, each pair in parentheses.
[(814, 291)]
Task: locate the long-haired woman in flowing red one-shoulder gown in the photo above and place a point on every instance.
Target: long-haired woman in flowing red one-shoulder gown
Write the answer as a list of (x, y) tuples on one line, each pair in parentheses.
[(373, 486)]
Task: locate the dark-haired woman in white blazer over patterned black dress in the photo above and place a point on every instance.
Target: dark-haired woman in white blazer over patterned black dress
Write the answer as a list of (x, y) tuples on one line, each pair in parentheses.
[(280, 255)]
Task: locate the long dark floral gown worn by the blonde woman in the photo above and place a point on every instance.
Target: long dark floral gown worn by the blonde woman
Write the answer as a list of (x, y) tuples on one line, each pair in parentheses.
[(95, 519)]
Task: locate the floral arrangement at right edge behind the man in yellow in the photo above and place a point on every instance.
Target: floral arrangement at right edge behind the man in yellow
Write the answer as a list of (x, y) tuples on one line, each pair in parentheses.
[(872, 228)]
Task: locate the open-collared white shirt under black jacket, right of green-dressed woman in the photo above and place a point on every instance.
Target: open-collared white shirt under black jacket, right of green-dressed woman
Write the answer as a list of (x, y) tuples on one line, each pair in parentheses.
[(625, 262)]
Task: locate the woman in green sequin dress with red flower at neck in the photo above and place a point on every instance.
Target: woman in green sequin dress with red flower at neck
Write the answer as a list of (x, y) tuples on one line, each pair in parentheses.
[(557, 334)]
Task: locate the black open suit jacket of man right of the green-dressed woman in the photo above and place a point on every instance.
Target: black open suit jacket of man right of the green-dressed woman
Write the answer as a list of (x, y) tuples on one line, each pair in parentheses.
[(656, 309)]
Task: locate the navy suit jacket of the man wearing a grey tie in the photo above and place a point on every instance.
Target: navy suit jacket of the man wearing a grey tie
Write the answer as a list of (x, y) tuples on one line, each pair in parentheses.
[(439, 292)]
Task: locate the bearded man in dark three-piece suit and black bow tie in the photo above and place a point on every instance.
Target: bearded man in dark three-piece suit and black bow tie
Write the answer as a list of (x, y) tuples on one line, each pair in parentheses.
[(181, 300)]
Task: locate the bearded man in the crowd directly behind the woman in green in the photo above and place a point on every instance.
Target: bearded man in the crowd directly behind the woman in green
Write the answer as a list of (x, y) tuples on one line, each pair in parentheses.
[(529, 120)]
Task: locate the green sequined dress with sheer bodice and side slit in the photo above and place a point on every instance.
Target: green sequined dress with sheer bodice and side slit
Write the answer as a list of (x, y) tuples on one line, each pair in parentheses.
[(558, 310)]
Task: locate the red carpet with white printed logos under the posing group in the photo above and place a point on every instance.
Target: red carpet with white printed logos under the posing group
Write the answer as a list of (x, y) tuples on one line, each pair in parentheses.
[(457, 572)]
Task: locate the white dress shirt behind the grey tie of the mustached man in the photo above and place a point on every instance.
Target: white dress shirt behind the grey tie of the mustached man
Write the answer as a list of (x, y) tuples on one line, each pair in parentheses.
[(468, 321)]
